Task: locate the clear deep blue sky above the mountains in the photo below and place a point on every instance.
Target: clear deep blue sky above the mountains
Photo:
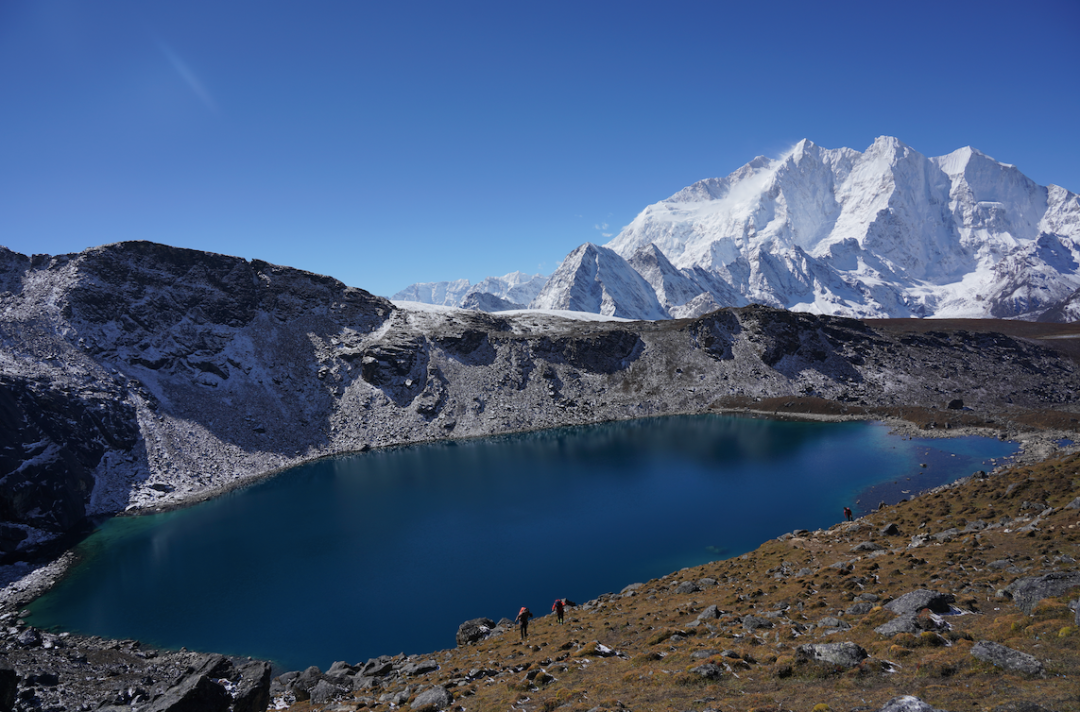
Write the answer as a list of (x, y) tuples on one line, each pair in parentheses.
[(391, 143)]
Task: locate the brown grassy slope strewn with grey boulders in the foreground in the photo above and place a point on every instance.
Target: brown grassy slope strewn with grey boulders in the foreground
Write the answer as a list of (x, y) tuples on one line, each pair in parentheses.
[(651, 627)]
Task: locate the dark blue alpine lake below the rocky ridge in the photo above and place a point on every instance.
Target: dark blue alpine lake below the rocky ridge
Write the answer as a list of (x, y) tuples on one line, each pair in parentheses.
[(389, 552)]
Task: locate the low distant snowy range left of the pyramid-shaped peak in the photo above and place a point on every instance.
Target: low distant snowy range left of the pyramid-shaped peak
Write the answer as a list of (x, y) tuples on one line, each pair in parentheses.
[(512, 291)]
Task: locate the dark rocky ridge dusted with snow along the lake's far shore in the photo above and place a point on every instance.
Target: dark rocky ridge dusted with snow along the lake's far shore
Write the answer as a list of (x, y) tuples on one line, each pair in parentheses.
[(138, 377)]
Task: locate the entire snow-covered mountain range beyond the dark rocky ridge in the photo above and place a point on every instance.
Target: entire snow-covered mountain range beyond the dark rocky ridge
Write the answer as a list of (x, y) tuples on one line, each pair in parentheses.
[(884, 234)]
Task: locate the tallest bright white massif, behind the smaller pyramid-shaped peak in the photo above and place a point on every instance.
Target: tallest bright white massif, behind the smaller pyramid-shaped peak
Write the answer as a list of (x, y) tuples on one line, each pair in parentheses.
[(887, 233)]
